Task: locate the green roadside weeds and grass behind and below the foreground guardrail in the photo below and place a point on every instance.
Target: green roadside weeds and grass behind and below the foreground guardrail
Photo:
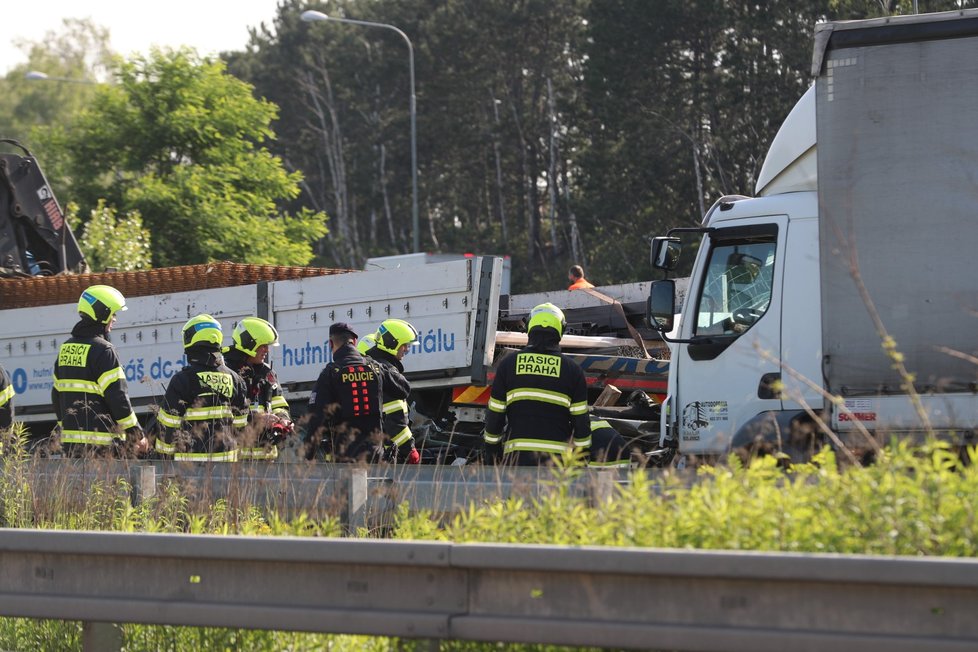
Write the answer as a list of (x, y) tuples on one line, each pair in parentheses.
[(909, 502)]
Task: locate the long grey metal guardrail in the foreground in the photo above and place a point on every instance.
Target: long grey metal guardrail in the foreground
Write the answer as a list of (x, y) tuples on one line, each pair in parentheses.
[(616, 598)]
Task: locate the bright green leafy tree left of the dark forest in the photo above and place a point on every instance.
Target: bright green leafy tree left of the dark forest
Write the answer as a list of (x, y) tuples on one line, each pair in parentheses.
[(182, 143)]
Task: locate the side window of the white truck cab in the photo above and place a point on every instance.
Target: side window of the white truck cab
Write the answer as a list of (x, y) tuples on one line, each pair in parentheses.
[(737, 288)]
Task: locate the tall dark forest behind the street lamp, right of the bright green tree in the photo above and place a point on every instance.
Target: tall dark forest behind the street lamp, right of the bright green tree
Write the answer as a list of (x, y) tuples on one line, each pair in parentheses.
[(555, 131)]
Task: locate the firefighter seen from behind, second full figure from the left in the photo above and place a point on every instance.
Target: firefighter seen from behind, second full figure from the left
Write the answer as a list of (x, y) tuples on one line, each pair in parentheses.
[(205, 408)]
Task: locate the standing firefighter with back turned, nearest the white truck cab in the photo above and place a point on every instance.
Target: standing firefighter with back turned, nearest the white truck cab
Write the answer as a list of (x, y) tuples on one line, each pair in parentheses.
[(538, 402)]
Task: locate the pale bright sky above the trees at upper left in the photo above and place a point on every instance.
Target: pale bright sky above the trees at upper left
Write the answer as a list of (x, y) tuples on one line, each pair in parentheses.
[(210, 26)]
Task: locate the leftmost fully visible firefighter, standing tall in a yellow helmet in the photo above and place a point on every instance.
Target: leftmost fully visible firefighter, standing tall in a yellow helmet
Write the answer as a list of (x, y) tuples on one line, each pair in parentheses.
[(89, 394)]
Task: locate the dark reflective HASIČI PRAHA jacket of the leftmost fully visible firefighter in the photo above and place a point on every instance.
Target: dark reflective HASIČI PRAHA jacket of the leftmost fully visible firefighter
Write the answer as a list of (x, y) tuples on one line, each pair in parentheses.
[(90, 395)]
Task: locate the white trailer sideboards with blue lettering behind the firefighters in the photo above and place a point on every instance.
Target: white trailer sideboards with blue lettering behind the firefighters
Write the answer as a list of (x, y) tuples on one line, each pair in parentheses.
[(454, 306)]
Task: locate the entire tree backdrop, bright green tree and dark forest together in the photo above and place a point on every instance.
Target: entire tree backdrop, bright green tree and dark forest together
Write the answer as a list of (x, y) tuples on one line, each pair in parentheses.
[(554, 131)]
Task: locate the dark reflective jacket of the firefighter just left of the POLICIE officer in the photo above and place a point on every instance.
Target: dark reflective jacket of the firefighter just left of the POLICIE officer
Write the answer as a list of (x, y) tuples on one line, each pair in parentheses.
[(264, 397)]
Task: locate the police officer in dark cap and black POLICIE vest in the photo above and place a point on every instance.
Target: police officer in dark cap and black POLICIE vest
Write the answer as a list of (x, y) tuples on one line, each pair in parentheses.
[(346, 404)]
